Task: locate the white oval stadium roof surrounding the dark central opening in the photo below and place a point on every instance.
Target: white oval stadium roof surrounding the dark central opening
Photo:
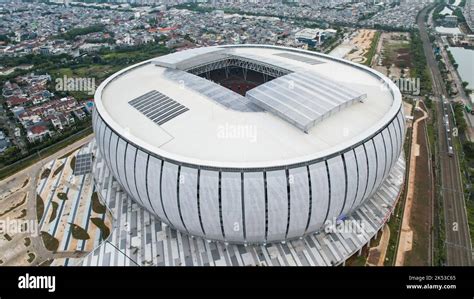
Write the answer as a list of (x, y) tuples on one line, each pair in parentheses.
[(318, 105)]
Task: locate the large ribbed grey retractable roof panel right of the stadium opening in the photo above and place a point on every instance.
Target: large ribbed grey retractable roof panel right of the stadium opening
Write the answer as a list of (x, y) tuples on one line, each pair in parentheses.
[(303, 98)]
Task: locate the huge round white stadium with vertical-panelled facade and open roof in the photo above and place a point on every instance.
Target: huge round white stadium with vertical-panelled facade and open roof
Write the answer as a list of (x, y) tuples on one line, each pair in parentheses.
[(249, 144)]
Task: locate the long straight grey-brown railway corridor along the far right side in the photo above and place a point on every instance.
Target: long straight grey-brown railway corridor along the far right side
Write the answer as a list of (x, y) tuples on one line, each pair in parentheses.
[(458, 242)]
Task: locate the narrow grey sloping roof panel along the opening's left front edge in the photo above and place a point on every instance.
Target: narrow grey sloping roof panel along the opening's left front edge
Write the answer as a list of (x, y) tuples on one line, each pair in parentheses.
[(213, 90)]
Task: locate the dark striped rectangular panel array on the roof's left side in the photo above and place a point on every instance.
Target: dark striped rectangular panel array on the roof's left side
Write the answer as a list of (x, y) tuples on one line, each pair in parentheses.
[(157, 107)]
